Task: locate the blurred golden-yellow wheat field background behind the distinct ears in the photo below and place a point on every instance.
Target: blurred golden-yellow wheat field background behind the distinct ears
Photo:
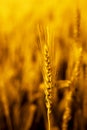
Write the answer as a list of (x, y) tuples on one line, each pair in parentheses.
[(22, 102)]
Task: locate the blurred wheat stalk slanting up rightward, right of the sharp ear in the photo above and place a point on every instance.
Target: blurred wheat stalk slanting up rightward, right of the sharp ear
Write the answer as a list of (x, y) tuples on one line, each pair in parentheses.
[(71, 88)]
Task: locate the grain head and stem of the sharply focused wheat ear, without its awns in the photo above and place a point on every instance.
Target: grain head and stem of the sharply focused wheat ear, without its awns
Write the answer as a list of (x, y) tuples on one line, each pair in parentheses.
[(48, 83)]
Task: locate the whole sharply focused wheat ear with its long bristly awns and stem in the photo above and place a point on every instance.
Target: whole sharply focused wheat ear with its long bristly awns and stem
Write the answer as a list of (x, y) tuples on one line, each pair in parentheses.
[(46, 70)]
